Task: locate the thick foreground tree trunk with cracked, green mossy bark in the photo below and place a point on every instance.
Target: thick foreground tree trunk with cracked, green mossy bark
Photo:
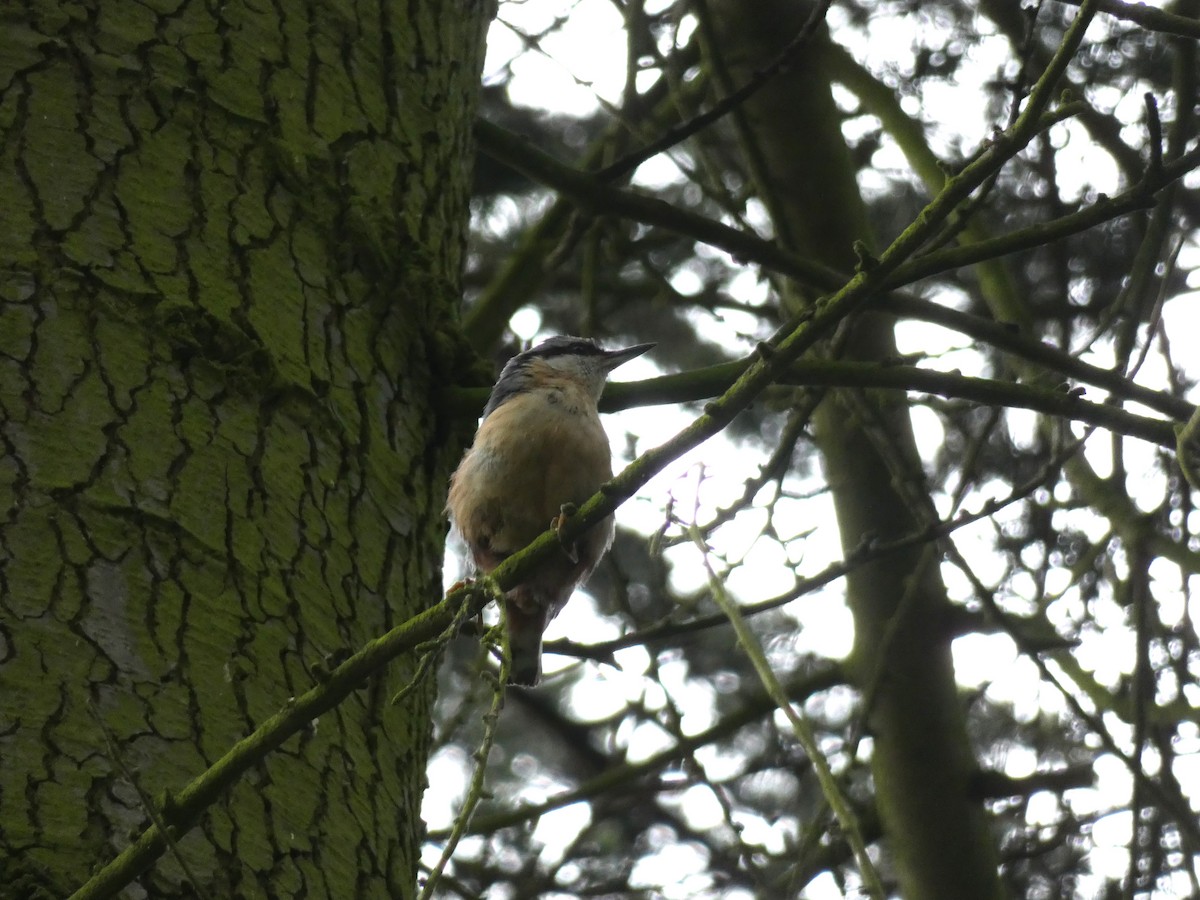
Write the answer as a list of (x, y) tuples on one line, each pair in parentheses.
[(231, 238)]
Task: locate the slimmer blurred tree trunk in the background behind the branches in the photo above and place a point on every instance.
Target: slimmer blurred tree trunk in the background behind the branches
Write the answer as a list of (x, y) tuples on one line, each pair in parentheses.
[(922, 760)]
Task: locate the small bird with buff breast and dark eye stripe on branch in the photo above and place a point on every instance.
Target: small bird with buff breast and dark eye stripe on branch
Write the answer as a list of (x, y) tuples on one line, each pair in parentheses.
[(539, 452)]
